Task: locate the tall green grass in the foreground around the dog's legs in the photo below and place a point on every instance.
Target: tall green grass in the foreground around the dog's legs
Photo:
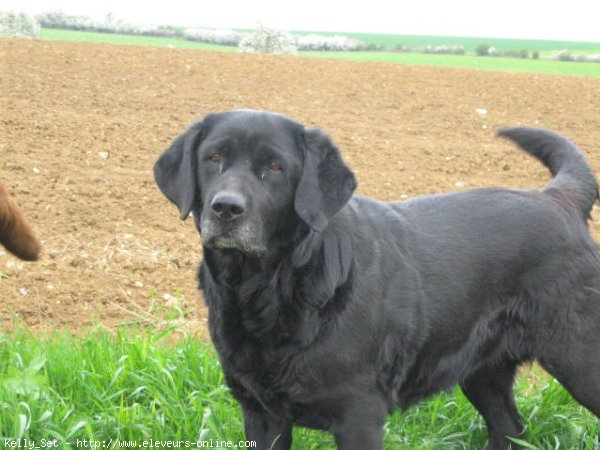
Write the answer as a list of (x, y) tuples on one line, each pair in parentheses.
[(138, 385)]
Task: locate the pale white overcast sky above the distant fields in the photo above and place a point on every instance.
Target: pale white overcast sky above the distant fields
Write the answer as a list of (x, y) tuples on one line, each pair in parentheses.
[(535, 19)]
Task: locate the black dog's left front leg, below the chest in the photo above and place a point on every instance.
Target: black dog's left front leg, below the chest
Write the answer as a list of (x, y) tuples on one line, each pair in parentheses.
[(267, 430)]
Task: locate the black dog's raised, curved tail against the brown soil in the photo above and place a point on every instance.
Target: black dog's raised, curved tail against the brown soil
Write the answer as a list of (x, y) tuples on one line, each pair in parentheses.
[(573, 179)]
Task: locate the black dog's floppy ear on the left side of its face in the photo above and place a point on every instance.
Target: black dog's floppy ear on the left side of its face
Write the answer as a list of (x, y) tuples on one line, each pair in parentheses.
[(175, 170)]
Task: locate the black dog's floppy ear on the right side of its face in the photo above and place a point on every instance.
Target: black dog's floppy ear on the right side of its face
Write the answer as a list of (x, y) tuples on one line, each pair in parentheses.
[(326, 183)]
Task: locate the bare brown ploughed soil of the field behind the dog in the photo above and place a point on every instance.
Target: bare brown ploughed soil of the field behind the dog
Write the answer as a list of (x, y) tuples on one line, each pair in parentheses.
[(82, 125)]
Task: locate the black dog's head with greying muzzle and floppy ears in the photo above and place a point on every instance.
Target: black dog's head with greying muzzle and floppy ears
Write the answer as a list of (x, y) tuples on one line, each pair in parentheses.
[(248, 176)]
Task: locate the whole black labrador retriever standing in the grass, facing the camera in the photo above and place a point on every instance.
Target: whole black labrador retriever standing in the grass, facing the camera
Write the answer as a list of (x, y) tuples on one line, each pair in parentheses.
[(329, 310)]
